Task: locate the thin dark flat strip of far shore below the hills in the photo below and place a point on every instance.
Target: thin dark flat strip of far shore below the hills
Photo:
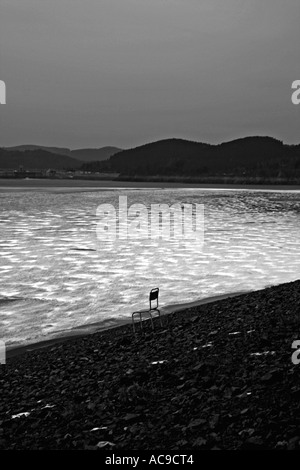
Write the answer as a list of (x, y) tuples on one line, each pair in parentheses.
[(7, 185)]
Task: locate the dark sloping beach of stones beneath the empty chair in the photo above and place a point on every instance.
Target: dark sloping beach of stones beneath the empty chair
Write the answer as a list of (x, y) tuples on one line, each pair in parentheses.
[(216, 376)]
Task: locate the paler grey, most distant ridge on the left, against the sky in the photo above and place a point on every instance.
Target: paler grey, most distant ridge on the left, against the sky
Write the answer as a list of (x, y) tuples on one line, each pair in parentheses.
[(84, 155)]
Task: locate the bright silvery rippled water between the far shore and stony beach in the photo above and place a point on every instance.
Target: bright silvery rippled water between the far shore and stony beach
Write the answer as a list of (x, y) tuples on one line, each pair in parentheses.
[(56, 275)]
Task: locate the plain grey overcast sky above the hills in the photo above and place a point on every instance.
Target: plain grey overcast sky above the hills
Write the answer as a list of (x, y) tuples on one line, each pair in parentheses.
[(91, 73)]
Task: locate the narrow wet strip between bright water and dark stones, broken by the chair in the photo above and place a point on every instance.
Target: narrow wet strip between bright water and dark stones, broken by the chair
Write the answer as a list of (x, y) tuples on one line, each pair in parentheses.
[(98, 327)]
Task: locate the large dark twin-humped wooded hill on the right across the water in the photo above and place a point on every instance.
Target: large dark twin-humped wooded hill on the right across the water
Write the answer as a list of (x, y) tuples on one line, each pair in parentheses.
[(249, 156)]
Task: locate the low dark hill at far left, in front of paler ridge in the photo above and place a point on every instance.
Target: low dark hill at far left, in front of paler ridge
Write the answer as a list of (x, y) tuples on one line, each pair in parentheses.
[(36, 159)]
